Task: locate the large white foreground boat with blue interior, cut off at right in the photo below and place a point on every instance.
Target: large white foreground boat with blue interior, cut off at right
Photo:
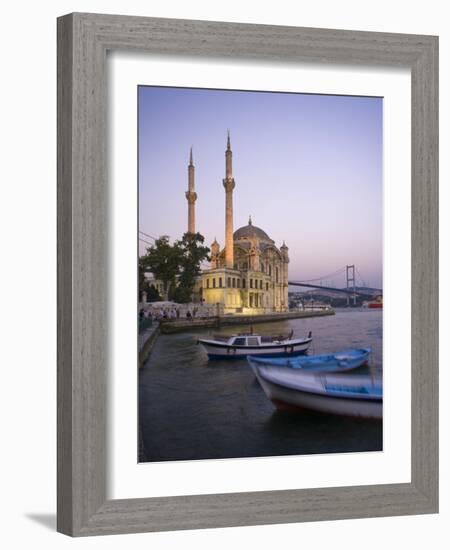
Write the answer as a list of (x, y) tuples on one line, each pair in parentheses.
[(340, 394)]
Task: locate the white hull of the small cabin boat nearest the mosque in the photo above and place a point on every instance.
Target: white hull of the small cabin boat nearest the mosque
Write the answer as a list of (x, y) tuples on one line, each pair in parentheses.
[(225, 351)]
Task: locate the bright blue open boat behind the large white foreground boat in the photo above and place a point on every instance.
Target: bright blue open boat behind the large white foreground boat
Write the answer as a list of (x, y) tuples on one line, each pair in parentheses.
[(332, 362)]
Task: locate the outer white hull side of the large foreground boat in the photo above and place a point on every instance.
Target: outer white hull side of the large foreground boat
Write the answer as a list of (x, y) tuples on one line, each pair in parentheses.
[(284, 397)]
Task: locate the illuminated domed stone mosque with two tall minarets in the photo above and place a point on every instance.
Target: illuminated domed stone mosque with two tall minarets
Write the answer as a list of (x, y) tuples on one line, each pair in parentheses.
[(250, 273)]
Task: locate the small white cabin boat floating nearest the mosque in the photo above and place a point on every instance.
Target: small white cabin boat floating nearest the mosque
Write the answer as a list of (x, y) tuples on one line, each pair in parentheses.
[(240, 346)]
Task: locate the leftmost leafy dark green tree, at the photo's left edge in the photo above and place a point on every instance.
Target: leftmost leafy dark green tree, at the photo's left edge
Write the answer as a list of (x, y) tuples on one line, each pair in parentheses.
[(164, 260)]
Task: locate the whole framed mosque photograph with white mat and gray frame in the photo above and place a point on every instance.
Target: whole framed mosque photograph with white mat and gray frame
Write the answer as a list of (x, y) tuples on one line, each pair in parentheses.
[(246, 333)]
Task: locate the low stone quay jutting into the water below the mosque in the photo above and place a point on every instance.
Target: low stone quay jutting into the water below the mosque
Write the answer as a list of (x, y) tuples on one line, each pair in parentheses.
[(170, 326)]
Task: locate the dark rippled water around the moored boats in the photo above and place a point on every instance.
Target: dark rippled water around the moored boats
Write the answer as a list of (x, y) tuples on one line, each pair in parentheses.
[(192, 408)]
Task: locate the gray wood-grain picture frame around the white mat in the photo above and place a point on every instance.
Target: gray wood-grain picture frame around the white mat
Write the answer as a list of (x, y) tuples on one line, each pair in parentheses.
[(83, 41)]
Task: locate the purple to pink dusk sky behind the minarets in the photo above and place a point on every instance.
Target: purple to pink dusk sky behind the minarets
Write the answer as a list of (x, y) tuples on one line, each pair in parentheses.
[(308, 169)]
